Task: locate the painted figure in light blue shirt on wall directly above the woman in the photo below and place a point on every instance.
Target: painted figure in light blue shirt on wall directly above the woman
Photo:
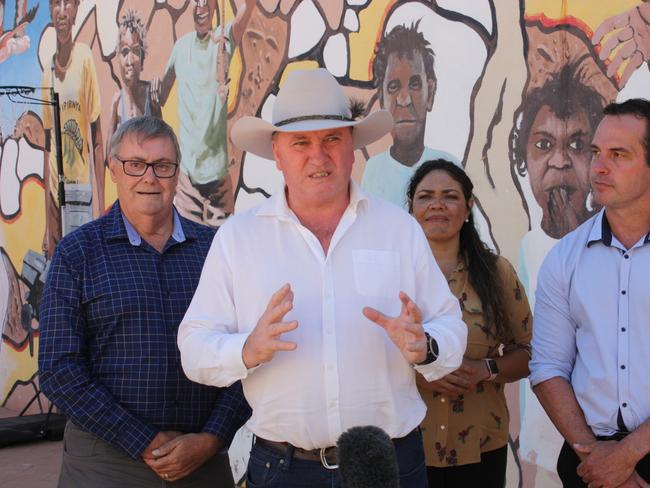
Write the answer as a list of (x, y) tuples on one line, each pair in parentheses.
[(403, 71)]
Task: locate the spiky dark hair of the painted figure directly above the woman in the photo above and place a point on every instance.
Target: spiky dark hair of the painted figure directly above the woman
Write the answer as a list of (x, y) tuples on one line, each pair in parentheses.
[(402, 41)]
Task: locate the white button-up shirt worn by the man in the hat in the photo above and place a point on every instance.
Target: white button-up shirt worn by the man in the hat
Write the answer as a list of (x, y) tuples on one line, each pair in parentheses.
[(345, 371)]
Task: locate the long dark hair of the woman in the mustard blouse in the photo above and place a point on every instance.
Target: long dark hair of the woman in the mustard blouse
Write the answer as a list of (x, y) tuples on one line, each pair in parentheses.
[(481, 261)]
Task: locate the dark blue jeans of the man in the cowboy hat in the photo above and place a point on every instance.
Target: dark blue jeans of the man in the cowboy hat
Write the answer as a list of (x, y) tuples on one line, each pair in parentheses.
[(268, 468)]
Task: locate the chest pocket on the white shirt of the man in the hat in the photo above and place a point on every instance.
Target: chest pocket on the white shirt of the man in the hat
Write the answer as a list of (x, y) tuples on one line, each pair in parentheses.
[(376, 273)]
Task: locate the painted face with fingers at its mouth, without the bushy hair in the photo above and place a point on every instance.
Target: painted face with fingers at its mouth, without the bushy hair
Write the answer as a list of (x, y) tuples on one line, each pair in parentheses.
[(557, 156)]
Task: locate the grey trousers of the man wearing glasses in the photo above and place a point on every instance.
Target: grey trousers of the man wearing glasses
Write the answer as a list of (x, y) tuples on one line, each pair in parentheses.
[(90, 462)]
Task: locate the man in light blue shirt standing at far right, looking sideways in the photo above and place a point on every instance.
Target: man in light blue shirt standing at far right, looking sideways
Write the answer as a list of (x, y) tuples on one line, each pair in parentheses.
[(591, 334)]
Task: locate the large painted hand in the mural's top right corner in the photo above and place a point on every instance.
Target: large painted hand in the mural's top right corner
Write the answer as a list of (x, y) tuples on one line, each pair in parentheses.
[(630, 33)]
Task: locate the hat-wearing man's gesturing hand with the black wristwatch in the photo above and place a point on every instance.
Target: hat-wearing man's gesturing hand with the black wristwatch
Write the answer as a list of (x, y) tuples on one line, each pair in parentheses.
[(405, 330)]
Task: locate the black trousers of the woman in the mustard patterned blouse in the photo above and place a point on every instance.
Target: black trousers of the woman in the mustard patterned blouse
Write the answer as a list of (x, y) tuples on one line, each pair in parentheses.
[(490, 472)]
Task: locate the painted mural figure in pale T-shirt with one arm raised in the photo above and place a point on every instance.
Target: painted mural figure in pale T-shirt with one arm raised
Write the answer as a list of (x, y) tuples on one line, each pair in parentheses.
[(205, 192)]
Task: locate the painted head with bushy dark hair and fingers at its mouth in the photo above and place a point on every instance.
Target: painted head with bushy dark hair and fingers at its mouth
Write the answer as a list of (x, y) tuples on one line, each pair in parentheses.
[(552, 146)]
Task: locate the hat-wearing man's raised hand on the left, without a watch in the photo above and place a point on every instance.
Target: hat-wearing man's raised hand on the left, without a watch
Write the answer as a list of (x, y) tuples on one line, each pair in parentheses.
[(264, 341)]
